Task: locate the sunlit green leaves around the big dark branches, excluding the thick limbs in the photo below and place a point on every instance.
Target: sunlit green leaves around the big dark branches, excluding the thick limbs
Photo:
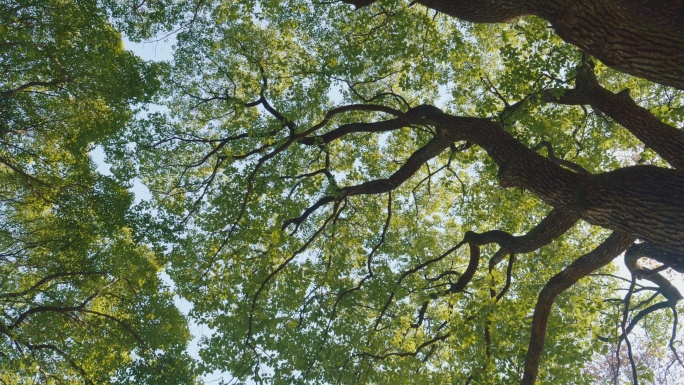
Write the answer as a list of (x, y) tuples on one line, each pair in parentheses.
[(329, 300)]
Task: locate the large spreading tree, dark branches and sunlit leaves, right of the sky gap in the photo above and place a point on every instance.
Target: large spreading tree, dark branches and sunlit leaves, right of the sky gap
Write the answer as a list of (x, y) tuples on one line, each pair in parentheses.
[(331, 224)]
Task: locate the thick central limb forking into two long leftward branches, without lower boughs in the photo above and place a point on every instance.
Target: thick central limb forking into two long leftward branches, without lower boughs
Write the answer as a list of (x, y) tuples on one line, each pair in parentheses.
[(641, 201)]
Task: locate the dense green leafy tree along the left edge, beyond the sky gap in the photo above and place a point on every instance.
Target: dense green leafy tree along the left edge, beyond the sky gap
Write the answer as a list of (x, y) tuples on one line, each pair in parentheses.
[(81, 300)]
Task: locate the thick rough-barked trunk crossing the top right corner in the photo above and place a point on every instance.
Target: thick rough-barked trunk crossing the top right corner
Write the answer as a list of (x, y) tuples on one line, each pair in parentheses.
[(639, 37)]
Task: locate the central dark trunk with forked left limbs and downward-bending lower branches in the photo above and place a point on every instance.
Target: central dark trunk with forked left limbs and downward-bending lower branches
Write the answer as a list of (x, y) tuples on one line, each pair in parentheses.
[(641, 202)]
